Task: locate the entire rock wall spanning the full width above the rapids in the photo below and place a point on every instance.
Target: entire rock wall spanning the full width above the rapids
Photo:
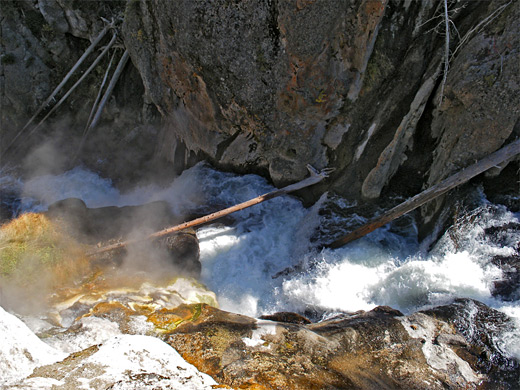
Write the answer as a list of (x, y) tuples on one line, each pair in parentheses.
[(270, 86)]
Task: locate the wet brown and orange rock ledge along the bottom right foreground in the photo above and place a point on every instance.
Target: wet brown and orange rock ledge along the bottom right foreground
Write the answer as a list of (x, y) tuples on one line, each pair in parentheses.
[(377, 349)]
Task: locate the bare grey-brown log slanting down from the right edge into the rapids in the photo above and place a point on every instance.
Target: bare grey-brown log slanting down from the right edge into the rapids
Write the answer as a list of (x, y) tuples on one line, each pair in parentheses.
[(492, 160)]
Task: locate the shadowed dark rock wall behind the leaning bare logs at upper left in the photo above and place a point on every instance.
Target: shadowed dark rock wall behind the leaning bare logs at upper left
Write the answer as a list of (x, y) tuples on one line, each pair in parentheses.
[(40, 41)]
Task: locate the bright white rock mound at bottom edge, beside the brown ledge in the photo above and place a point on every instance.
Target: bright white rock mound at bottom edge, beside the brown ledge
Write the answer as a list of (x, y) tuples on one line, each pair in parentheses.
[(123, 362)]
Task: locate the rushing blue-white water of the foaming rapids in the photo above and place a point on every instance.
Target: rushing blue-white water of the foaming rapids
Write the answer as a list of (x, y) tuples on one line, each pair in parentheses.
[(239, 261)]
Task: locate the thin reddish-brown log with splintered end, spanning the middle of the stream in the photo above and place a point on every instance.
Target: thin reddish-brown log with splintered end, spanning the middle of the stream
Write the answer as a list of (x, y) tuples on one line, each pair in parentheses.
[(315, 177)]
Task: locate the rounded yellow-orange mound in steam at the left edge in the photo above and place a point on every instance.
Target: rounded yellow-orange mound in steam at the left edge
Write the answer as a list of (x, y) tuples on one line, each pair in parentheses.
[(36, 258)]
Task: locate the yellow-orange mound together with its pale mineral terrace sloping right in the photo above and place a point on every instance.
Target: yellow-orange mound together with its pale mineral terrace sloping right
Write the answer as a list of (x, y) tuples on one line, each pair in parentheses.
[(36, 250)]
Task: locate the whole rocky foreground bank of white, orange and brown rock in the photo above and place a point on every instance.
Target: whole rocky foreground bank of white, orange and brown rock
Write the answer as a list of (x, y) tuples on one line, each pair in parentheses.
[(435, 349)]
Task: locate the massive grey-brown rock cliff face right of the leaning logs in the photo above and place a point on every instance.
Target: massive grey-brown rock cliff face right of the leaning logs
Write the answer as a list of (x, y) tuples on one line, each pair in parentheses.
[(275, 85)]
